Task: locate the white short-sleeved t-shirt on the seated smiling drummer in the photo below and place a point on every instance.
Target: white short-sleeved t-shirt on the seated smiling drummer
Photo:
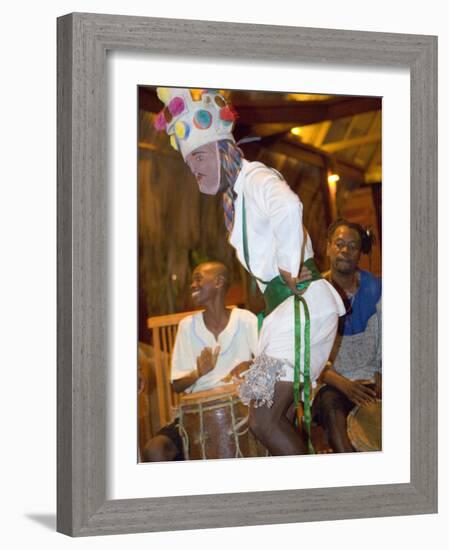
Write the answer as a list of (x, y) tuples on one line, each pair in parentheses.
[(238, 342)]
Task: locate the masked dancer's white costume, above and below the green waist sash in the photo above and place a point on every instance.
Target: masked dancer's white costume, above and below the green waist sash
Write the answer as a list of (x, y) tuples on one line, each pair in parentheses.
[(277, 239)]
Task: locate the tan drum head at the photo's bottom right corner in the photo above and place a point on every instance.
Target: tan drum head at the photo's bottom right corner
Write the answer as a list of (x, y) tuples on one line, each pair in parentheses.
[(365, 427)]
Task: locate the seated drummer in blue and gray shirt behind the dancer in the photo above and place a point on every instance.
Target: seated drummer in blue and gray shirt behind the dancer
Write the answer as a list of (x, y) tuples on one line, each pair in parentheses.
[(353, 374)]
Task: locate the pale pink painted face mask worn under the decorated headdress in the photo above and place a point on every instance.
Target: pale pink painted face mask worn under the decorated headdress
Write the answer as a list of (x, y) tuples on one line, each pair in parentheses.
[(204, 164)]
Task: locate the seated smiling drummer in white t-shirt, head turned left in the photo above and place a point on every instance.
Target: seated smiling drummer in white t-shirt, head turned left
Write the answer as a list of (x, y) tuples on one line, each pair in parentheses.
[(210, 348)]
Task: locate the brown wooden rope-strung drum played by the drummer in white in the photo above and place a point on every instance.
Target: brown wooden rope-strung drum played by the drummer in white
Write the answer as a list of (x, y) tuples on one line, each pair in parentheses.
[(214, 424)]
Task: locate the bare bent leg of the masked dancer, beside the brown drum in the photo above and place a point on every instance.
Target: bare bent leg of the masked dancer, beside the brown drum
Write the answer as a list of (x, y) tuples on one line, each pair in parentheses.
[(272, 427)]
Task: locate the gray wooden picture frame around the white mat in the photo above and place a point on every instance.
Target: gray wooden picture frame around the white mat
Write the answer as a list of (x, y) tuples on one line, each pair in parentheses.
[(83, 41)]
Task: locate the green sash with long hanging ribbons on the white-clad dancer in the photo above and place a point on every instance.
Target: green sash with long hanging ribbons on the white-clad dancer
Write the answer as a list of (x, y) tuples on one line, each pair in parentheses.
[(275, 293)]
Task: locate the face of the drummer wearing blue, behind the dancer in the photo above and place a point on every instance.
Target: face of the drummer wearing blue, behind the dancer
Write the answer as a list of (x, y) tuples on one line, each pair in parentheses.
[(344, 250)]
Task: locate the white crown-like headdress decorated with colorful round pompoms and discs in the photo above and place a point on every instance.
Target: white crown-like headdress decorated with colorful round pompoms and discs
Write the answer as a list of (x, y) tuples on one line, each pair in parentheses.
[(191, 123)]
